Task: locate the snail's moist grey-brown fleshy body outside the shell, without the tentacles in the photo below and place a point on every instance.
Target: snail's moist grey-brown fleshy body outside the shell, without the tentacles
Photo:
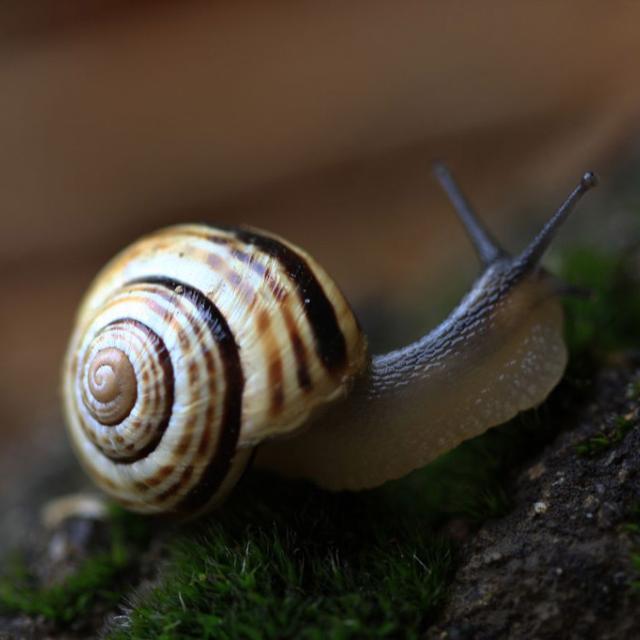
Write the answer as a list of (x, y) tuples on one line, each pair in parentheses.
[(500, 352)]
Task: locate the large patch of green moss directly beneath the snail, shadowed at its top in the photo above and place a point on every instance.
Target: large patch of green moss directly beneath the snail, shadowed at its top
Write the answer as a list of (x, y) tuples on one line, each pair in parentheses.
[(285, 560)]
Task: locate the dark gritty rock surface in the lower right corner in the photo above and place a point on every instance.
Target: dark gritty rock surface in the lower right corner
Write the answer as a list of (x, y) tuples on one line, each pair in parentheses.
[(559, 565)]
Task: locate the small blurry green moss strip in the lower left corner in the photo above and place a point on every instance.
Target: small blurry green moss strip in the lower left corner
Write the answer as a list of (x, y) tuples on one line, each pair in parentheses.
[(94, 581)]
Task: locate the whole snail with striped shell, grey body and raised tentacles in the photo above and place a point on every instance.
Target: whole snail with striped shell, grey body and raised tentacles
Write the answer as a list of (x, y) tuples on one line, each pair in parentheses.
[(199, 349)]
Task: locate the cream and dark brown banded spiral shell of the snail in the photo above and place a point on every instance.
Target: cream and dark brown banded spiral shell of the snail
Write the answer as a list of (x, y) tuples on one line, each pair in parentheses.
[(192, 346)]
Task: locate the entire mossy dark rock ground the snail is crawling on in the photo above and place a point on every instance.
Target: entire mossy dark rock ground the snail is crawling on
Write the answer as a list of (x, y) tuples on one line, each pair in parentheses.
[(530, 531)]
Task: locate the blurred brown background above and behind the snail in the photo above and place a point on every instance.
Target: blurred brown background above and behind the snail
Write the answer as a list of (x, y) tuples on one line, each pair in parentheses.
[(315, 120)]
